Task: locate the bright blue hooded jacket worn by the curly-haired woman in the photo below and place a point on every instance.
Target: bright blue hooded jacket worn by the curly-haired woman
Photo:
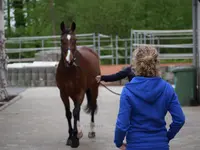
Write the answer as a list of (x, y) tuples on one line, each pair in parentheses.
[(143, 106)]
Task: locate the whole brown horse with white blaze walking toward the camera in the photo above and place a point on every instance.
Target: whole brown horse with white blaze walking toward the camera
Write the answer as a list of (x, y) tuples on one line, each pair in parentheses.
[(75, 77)]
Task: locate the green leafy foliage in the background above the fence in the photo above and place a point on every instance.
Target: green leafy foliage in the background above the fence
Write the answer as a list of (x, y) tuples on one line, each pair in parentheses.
[(104, 16)]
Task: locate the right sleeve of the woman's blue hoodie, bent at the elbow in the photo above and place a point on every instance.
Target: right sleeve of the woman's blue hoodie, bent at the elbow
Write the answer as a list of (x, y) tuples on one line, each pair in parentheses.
[(178, 117)]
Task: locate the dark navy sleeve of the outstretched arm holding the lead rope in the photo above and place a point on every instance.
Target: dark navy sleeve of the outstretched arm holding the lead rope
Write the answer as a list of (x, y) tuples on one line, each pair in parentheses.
[(117, 76)]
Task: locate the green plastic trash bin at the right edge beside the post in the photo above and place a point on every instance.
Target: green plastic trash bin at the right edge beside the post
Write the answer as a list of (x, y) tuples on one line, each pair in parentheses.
[(185, 84)]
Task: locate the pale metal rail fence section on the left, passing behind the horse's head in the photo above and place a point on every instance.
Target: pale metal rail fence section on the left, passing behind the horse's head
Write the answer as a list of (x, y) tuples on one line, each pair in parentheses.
[(42, 44)]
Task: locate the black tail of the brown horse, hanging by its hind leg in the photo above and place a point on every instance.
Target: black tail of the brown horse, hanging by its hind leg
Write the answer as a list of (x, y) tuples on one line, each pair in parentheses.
[(91, 102)]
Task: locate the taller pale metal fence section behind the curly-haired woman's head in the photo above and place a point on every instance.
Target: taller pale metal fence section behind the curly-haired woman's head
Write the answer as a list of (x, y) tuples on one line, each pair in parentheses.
[(158, 39)]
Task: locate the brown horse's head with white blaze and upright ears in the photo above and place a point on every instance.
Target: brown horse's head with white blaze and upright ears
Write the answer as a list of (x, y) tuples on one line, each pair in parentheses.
[(68, 43)]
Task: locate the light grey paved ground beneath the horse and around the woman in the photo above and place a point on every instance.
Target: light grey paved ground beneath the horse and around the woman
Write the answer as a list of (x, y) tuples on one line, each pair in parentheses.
[(37, 122)]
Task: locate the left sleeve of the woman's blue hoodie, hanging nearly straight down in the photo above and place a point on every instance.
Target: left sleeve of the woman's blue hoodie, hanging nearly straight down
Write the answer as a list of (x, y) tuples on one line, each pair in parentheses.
[(123, 119)]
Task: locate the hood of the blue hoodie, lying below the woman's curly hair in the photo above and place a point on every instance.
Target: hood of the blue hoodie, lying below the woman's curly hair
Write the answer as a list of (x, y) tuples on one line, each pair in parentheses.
[(148, 89)]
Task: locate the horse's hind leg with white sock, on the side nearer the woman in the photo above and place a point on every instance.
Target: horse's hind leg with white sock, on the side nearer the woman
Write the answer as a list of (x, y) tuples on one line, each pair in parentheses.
[(92, 108)]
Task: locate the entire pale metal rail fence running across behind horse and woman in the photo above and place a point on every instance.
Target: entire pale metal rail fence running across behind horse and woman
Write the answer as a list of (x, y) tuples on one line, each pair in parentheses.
[(112, 50)]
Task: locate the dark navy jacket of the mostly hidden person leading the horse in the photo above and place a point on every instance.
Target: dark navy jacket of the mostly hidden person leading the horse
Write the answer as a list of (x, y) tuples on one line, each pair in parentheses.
[(127, 72)]
